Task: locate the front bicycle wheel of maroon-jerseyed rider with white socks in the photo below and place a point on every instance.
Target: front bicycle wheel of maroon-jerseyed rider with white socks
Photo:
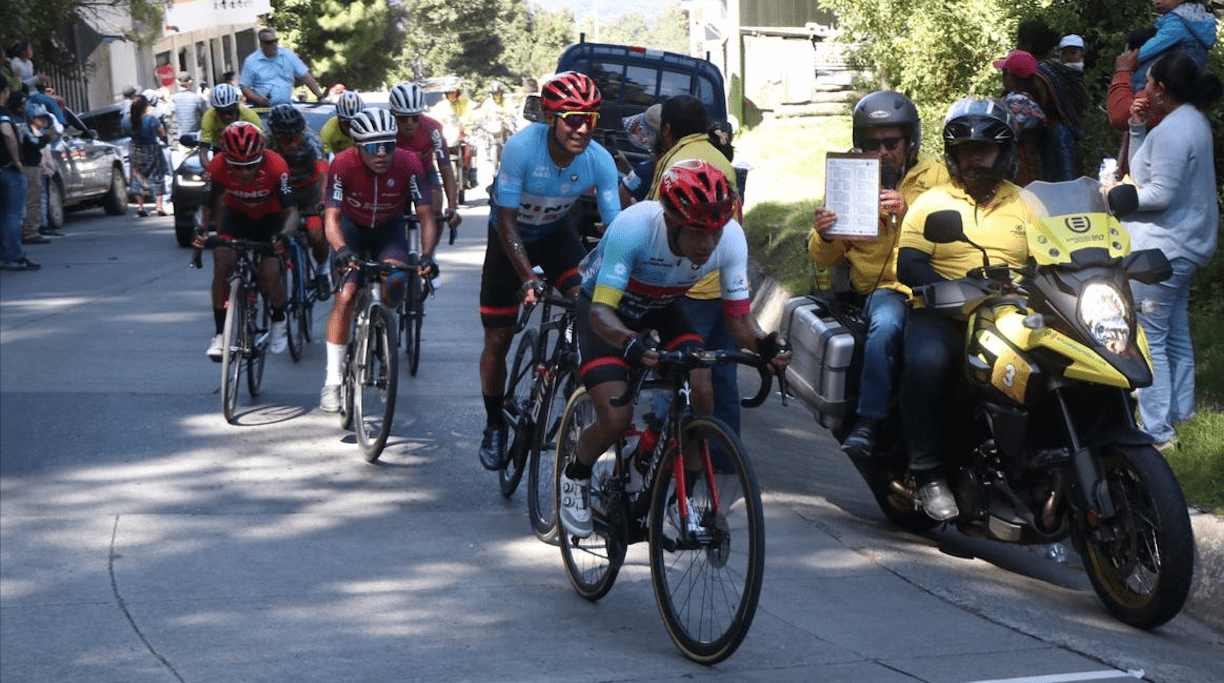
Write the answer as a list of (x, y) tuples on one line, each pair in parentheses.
[(376, 379)]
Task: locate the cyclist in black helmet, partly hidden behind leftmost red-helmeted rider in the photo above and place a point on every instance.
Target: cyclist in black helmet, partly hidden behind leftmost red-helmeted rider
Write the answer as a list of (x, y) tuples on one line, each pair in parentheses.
[(302, 149)]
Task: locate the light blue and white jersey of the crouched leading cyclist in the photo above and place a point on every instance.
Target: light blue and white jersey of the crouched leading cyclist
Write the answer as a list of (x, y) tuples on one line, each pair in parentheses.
[(635, 271)]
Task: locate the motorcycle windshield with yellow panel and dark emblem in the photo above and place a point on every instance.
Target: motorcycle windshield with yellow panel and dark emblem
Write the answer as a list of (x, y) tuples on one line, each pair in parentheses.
[(1073, 216)]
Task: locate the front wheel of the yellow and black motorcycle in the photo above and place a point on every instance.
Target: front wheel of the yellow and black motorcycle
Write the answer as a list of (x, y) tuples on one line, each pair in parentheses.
[(1141, 562)]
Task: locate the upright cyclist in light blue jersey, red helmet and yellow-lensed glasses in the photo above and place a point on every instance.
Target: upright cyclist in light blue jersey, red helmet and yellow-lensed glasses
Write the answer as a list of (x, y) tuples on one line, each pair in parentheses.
[(545, 170)]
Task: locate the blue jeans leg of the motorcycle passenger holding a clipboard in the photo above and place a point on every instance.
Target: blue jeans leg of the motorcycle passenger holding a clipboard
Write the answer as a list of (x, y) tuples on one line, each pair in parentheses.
[(887, 312)]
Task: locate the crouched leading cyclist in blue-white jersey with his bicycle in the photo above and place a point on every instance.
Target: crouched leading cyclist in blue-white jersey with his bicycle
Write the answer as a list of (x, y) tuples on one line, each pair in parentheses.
[(704, 516)]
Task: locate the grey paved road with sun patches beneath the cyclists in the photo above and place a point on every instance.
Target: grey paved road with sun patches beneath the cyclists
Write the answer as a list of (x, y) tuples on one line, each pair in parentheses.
[(146, 540)]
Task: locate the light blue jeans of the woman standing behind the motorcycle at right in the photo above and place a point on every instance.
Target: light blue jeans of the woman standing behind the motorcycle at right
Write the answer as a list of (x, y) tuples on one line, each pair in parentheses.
[(1163, 310)]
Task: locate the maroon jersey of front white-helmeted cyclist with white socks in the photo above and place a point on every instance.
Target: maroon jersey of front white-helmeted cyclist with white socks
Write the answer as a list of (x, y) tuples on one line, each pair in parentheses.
[(373, 200)]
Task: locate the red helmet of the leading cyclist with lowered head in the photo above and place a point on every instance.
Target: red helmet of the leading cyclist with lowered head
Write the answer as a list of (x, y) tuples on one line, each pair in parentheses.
[(696, 194)]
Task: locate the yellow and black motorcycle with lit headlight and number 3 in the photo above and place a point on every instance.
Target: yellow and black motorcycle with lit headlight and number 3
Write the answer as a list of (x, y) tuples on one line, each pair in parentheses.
[(1053, 452)]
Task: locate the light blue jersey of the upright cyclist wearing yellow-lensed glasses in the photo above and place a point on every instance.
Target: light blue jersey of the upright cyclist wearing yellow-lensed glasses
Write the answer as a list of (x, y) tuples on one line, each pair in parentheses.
[(543, 193)]
